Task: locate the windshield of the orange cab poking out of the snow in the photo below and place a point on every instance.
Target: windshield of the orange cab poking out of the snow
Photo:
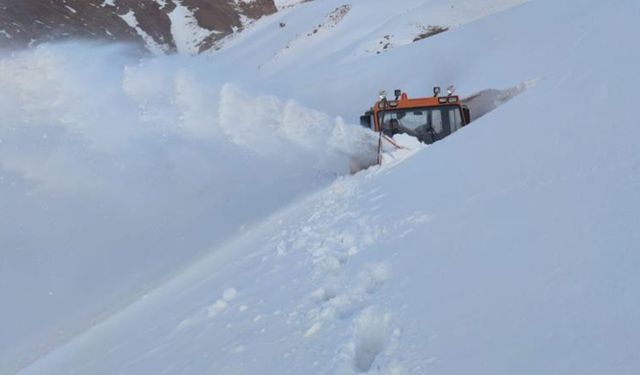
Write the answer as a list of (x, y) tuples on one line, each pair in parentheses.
[(428, 124)]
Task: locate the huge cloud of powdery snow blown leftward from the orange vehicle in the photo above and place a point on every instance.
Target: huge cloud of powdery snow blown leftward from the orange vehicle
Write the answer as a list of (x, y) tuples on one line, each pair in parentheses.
[(102, 141)]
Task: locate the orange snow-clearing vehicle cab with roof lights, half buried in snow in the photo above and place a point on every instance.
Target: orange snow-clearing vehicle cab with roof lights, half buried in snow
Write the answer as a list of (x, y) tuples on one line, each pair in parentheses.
[(428, 119)]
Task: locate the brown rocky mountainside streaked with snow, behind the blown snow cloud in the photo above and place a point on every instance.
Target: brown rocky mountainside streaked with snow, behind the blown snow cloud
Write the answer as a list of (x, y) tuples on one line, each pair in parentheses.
[(161, 26)]
